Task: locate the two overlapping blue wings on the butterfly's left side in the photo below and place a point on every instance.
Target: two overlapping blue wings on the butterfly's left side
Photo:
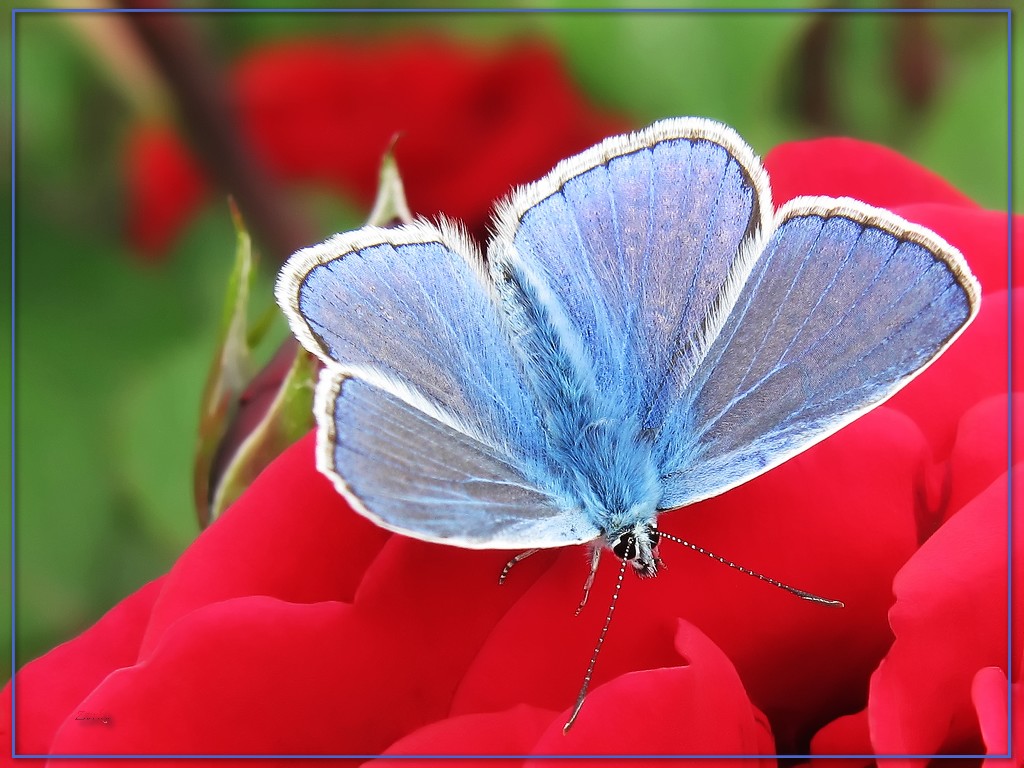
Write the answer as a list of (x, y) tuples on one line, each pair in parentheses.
[(406, 323)]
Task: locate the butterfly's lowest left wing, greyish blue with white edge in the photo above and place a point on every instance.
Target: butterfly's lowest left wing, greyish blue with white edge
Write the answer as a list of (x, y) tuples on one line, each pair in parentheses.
[(412, 468)]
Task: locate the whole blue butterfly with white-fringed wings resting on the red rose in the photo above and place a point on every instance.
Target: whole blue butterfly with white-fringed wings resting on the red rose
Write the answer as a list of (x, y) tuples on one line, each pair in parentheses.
[(645, 331)]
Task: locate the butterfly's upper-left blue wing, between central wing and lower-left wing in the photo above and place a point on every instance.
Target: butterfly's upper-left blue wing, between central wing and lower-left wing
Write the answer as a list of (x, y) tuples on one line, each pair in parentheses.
[(411, 304)]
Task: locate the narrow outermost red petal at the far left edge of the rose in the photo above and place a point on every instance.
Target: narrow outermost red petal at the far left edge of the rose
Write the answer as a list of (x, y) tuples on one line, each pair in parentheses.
[(51, 690)]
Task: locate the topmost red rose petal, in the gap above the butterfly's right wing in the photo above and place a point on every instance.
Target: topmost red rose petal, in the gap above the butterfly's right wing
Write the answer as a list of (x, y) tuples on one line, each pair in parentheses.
[(846, 167)]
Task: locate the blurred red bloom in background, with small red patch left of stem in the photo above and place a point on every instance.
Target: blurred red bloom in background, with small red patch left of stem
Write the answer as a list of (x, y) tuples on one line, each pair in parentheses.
[(473, 123)]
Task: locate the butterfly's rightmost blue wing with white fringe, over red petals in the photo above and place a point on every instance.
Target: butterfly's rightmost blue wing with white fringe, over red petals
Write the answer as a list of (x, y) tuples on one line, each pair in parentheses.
[(846, 305)]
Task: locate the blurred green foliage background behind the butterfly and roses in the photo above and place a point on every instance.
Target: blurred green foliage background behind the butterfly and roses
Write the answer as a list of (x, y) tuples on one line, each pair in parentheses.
[(113, 351)]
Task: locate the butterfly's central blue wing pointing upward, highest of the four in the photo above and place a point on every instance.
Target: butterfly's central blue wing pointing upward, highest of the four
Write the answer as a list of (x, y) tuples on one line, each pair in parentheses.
[(631, 243)]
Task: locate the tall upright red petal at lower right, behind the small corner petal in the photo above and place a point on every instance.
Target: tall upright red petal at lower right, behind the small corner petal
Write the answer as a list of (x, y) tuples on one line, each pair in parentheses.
[(950, 620)]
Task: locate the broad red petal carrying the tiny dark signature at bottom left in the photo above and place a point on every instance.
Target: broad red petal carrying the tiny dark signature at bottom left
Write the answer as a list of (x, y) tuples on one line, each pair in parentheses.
[(257, 675)]
